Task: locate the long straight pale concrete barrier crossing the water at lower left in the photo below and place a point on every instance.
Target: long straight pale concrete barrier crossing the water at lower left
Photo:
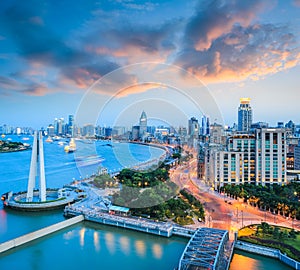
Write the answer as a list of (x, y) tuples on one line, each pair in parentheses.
[(39, 233)]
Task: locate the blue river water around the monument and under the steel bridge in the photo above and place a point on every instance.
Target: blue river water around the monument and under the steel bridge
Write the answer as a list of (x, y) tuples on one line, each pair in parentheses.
[(88, 245)]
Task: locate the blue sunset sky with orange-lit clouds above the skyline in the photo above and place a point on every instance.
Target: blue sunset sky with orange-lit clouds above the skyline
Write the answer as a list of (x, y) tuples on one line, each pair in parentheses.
[(107, 61)]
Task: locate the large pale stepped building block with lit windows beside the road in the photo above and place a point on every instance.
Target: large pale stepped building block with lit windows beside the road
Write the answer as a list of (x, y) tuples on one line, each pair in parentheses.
[(258, 158)]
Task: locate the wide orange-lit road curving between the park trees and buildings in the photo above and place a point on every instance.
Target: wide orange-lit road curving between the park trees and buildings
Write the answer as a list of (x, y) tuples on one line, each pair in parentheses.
[(223, 212)]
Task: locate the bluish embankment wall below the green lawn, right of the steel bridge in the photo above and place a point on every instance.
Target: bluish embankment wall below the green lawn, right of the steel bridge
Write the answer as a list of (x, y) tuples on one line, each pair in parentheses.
[(269, 252)]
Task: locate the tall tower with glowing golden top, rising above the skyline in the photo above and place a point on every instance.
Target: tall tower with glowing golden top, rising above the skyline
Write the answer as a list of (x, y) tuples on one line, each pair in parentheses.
[(244, 115)]
